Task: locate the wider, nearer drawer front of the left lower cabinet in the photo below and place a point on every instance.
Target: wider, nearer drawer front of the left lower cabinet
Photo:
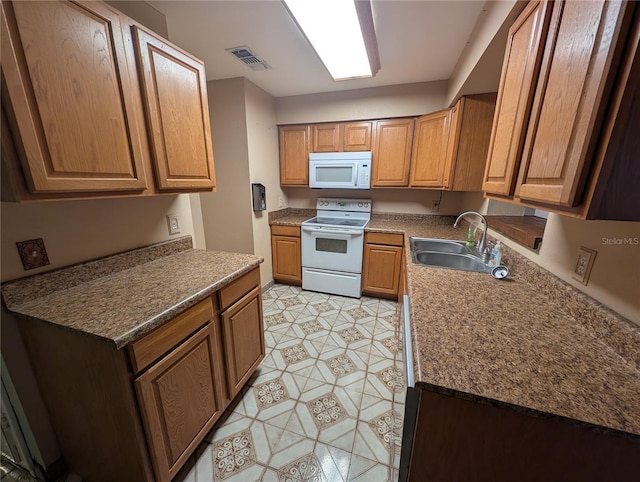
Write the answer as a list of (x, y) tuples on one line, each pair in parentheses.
[(148, 349)]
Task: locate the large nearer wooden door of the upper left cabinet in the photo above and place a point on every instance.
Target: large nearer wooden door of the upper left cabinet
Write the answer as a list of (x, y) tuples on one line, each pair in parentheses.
[(71, 95)]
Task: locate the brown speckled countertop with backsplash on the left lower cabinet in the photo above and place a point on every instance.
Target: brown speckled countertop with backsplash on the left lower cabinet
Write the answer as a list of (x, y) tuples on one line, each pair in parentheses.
[(123, 297)]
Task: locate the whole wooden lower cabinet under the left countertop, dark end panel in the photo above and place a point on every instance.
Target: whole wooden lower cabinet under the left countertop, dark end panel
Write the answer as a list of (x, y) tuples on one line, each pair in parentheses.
[(139, 412)]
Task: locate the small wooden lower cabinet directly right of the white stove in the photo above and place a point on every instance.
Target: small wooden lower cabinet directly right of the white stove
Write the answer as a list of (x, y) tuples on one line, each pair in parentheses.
[(382, 264)]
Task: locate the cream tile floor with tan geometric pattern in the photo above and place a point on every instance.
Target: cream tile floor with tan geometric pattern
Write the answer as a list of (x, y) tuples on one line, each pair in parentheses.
[(327, 402)]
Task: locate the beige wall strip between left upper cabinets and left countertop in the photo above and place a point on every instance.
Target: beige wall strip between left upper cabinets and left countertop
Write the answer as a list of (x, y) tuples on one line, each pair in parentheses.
[(76, 231)]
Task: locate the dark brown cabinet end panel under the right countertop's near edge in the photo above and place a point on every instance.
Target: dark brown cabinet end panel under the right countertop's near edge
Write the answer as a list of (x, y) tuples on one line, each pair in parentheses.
[(450, 438)]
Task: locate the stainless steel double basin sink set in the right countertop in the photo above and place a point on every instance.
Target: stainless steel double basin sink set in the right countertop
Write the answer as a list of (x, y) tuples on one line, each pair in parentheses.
[(446, 253)]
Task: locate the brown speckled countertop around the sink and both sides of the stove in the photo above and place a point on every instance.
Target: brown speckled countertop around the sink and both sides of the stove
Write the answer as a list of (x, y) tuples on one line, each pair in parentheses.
[(531, 340)]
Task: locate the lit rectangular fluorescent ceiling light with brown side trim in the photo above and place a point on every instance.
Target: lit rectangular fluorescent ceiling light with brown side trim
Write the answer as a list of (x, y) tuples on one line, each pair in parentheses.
[(334, 30)]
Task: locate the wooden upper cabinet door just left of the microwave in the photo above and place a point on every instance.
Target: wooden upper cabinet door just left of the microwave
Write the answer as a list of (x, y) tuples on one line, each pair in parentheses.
[(294, 155)]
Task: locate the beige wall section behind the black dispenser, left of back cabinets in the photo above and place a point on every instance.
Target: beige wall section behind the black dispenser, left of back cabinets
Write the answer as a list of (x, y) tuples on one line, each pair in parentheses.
[(245, 145)]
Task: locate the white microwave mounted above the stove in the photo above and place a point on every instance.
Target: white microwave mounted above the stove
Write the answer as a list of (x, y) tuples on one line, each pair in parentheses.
[(340, 170)]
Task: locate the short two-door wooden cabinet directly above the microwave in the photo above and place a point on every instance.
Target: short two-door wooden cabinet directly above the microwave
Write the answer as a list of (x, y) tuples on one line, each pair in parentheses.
[(339, 137)]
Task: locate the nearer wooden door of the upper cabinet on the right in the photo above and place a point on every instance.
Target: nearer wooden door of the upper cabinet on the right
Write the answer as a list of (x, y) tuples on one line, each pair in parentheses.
[(569, 102)]
